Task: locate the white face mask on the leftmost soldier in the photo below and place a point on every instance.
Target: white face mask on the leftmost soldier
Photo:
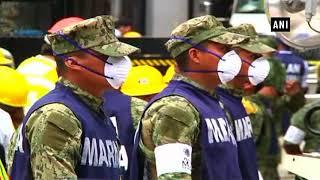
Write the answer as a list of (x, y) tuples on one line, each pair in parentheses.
[(117, 70)]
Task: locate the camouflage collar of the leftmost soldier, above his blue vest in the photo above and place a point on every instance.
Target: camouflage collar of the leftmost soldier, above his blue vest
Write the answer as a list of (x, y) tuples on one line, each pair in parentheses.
[(89, 99)]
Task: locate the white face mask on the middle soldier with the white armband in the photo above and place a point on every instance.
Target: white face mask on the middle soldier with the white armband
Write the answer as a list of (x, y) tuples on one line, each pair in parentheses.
[(229, 66)]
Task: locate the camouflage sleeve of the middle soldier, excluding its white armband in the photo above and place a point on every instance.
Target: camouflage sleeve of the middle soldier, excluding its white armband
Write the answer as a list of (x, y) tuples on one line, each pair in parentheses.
[(169, 120)]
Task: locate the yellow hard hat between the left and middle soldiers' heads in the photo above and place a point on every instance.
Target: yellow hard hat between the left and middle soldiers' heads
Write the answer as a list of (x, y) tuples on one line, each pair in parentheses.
[(143, 80)]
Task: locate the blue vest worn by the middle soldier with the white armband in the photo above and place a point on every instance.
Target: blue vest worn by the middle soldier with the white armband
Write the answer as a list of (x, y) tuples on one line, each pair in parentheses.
[(219, 157)]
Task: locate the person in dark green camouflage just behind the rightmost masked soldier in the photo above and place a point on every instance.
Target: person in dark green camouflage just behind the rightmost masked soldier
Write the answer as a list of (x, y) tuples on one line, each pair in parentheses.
[(263, 110)]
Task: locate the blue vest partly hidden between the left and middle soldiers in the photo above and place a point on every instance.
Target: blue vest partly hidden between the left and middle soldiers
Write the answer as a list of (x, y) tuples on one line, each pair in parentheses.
[(118, 107)]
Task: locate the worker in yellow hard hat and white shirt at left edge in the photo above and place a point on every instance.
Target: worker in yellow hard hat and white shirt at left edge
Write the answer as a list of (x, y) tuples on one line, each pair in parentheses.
[(13, 97)]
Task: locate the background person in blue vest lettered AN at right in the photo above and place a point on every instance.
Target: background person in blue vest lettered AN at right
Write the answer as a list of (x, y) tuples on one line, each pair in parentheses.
[(296, 82)]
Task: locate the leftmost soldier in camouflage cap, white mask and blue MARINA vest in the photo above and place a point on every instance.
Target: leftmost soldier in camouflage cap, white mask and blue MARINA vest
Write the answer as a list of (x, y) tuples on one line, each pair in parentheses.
[(66, 135)]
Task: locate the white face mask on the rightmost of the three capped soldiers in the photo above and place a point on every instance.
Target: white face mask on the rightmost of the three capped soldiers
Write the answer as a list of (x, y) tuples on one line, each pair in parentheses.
[(258, 71)]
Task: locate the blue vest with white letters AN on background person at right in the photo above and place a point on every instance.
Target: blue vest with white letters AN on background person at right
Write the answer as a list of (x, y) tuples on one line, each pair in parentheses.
[(294, 65)]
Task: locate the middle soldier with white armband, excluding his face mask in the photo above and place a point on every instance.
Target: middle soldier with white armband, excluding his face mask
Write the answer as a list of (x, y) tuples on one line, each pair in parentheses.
[(171, 122)]
